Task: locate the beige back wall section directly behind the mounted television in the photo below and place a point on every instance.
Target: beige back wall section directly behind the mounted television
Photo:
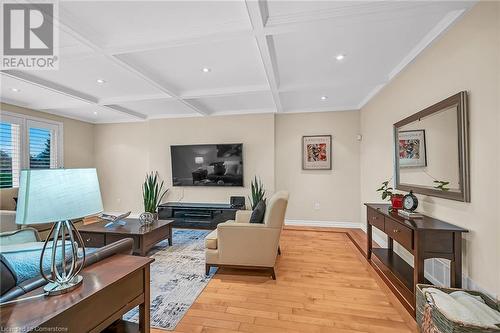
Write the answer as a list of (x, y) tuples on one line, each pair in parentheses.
[(126, 152)]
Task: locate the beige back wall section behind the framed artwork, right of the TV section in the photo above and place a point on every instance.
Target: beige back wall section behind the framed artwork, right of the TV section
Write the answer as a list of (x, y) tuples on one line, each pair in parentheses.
[(336, 190)]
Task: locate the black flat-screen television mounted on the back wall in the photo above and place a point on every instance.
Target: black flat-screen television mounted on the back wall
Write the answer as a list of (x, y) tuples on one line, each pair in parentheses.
[(207, 165)]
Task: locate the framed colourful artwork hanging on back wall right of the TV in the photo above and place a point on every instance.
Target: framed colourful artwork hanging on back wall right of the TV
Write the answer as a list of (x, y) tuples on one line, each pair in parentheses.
[(317, 152)]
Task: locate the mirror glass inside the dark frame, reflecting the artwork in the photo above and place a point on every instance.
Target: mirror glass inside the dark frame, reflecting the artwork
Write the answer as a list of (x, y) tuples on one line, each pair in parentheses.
[(428, 151)]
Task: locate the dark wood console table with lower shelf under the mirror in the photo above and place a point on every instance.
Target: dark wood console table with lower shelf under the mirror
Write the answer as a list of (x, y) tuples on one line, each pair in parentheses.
[(424, 237)]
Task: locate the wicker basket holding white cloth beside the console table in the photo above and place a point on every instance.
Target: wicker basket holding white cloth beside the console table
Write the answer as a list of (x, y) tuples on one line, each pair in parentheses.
[(431, 320)]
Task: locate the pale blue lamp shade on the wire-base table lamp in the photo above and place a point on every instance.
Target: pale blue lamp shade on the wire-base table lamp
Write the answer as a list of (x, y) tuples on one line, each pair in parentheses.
[(51, 195)]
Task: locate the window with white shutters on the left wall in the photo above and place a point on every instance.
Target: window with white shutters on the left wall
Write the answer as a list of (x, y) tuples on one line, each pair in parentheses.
[(27, 142)]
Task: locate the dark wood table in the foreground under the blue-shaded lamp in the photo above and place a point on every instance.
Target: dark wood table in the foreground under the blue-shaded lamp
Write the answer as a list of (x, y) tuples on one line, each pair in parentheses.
[(111, 287)]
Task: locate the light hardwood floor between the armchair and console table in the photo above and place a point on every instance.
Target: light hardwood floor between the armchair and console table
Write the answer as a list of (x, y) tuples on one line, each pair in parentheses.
[(323, 284)]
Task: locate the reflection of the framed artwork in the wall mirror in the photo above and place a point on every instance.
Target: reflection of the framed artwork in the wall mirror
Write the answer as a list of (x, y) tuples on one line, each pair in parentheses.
[(412, 152)]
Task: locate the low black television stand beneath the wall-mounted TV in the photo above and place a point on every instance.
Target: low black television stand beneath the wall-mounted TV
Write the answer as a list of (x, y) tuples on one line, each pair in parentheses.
[(196, 215)]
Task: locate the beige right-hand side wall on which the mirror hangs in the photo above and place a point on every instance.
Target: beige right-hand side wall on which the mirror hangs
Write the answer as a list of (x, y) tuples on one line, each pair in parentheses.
[(467, 57)]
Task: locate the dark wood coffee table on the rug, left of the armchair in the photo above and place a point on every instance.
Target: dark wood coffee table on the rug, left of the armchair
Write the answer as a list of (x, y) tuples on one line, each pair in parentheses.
[(97, 235)]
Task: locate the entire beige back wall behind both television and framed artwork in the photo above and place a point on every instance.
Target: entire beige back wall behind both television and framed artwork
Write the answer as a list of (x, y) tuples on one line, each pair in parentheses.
[(124, 153)]
